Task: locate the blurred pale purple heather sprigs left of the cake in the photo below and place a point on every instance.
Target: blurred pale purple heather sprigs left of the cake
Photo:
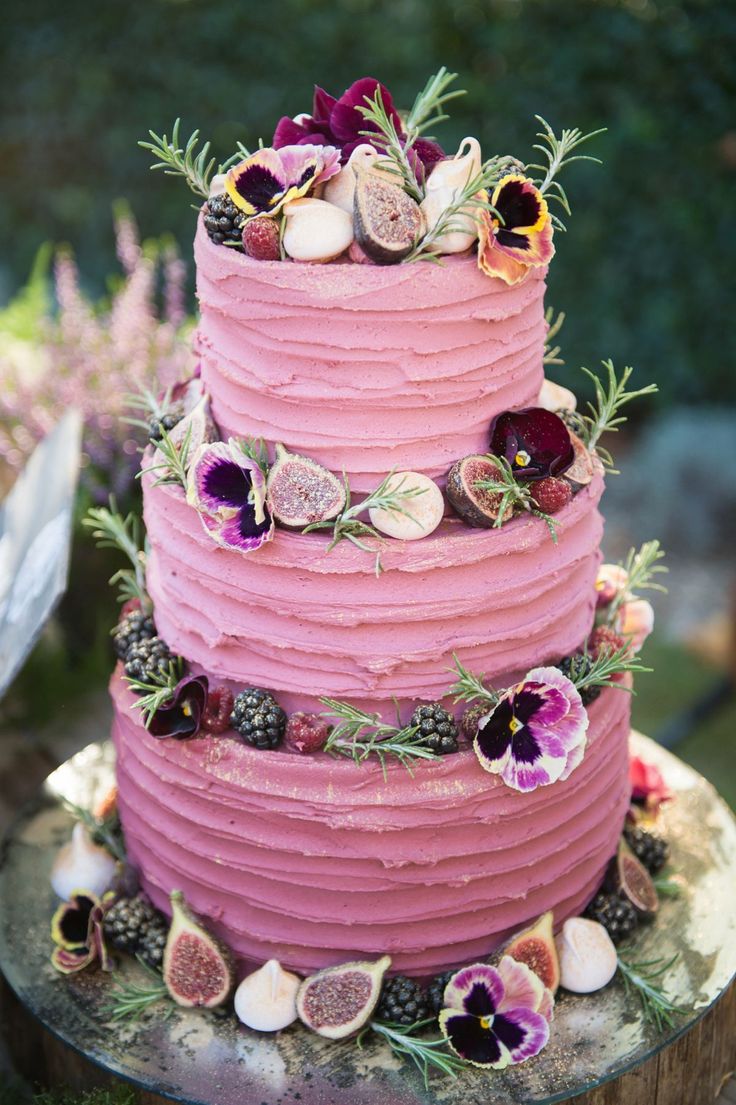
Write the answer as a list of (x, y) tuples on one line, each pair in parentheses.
[(93, 360)]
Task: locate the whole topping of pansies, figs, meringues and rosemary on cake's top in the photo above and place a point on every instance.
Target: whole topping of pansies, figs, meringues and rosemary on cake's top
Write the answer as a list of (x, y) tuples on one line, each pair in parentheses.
[(359, 180)]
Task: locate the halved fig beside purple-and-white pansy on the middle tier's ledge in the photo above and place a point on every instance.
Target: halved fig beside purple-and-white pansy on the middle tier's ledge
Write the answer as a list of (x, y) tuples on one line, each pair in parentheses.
[(301, 492)]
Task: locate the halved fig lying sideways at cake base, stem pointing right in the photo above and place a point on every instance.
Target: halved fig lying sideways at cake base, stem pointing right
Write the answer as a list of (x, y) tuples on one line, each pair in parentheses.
[(339, 1002)]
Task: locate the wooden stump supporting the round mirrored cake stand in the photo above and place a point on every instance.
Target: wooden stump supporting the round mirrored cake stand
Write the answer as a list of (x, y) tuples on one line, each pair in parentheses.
[(690, 1072)]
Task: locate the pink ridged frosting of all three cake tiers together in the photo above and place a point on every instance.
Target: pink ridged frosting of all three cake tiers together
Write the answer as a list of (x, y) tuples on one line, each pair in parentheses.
[(313, 860)]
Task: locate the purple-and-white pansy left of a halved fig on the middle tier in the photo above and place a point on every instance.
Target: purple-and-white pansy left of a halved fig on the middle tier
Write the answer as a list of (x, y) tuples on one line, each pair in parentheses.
[(228, 491)]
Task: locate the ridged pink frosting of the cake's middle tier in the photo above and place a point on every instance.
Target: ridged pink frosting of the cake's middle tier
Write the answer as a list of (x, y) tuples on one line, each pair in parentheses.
[(306, 623)]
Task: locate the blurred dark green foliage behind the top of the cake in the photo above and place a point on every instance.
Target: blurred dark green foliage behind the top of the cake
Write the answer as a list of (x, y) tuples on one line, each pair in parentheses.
[(645, 272)]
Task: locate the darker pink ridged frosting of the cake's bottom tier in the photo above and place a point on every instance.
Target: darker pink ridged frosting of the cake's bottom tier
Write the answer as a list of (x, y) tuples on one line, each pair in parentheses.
[(316, 861)]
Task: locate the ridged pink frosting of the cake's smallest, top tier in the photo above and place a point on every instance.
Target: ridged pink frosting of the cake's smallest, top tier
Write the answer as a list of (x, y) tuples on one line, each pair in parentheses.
[(366, 369)]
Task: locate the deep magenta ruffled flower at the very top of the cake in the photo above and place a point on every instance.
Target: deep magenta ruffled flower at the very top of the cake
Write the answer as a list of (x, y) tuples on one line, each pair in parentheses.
[(338, 122)]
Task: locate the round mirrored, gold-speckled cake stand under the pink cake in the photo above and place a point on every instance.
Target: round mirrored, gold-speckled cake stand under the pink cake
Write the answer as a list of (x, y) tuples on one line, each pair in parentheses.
[(208, 1059)]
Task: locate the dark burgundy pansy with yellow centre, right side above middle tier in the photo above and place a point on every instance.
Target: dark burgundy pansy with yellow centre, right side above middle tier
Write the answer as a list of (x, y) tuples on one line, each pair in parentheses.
[(535, 443)]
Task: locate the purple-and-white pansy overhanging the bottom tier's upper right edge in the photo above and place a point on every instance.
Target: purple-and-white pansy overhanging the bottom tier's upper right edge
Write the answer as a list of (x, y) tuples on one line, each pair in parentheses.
[(537, 733)]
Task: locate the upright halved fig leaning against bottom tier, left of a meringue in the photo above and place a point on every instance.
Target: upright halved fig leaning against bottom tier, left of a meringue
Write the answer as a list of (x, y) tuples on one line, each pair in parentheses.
[(197, 967)]
